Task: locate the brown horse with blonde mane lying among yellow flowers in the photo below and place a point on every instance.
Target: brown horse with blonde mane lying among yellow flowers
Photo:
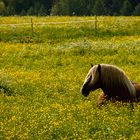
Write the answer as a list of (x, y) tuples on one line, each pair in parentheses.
[(113, 82)]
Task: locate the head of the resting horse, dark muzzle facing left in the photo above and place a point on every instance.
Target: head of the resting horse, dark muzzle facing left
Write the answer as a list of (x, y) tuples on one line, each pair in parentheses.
[(92, 80)]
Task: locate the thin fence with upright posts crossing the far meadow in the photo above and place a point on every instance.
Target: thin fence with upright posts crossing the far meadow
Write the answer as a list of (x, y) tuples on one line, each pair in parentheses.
[(95, 21)]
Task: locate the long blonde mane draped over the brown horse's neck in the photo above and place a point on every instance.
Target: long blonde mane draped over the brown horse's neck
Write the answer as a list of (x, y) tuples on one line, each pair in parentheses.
[(115, 80)]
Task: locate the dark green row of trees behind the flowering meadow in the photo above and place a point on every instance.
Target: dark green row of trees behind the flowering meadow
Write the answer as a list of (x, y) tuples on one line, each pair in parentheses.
[(69, 7)]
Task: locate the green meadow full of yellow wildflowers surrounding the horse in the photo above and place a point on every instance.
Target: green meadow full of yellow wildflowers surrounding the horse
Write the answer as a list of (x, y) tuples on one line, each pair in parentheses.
[(43, 72)]
